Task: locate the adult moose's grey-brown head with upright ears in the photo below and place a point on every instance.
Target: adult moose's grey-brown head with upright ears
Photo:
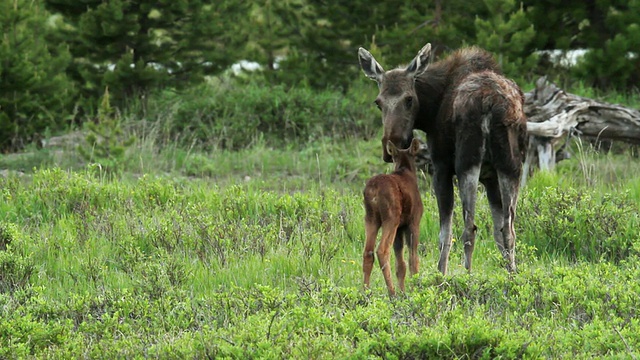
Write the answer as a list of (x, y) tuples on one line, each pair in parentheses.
[(397, 98)]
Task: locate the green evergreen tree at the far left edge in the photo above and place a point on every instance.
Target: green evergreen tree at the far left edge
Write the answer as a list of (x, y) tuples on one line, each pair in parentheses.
[(35, 94)]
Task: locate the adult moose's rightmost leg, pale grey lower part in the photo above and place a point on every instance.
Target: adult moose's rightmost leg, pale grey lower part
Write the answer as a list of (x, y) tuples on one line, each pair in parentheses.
[(509, 188)]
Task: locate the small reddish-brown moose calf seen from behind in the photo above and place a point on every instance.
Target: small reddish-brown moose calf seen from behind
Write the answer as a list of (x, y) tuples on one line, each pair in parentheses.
[(392, 202)]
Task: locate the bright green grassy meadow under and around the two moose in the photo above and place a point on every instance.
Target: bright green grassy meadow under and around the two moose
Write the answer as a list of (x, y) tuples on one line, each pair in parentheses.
[(257, 253)]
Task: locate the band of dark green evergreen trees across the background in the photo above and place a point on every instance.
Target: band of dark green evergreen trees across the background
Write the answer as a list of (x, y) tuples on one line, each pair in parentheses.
[(69, 53)]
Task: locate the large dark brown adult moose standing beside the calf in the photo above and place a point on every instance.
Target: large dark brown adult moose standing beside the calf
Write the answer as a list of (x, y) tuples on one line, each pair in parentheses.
[(476, 129)]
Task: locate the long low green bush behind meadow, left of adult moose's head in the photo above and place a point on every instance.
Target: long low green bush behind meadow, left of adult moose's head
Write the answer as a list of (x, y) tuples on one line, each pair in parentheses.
[(234, 116)]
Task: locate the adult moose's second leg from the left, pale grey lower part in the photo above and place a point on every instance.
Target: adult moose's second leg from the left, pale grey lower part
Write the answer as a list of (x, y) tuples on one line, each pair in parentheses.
[(468, 186)]
